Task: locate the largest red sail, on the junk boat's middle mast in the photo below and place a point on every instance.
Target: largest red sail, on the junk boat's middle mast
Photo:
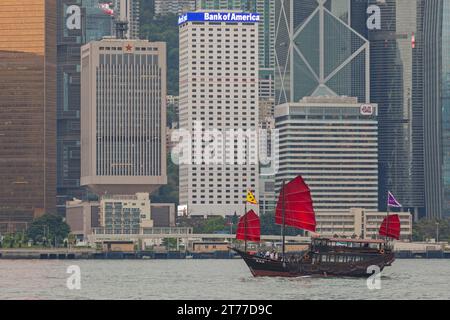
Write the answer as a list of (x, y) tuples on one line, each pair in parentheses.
[(298, 206)]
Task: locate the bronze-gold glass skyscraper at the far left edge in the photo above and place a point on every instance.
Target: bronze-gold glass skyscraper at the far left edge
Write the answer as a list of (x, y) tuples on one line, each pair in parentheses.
[(27, 111)]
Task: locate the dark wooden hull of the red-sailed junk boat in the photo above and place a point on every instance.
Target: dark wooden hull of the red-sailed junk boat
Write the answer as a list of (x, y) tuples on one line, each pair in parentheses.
[(262, 267)]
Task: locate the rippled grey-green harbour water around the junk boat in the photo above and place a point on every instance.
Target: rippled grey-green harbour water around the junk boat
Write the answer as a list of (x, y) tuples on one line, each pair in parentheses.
[(210, 279)]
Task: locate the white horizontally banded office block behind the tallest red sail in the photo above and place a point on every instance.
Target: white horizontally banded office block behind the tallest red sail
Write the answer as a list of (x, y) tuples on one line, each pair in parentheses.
[(333, 143)]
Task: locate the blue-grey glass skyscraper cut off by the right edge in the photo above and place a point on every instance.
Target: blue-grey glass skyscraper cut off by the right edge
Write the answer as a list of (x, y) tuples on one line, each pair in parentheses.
[(436, 46)]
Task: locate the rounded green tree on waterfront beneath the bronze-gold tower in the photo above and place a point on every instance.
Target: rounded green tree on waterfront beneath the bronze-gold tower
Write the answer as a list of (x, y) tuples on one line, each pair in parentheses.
[(50, 227)]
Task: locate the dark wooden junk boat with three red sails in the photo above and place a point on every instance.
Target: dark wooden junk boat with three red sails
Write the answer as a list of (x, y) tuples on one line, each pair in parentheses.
[(325, 256)]
